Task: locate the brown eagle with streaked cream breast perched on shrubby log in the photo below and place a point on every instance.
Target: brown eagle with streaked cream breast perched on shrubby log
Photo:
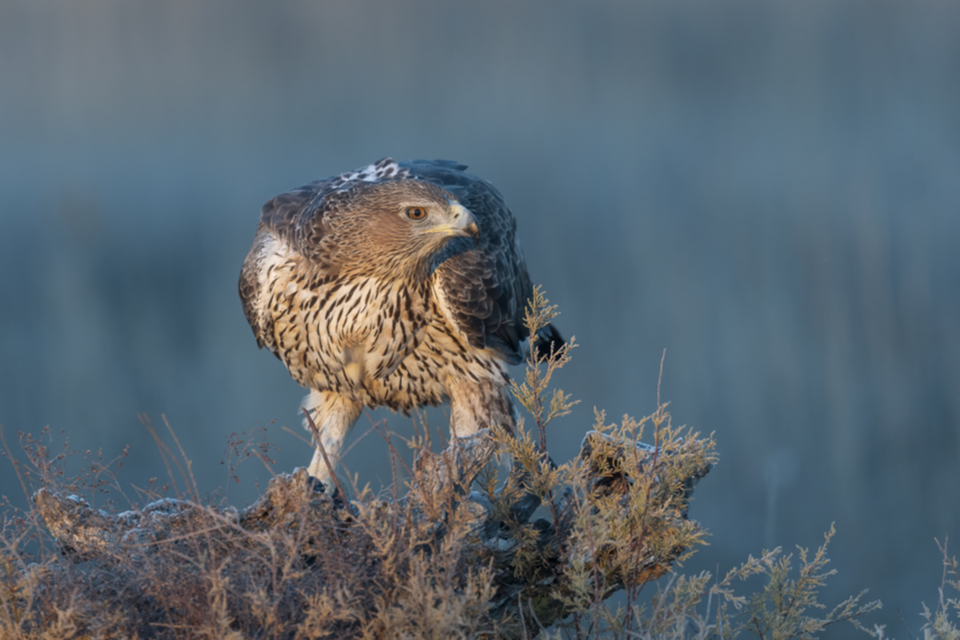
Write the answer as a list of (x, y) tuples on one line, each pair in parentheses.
[(400, 284)]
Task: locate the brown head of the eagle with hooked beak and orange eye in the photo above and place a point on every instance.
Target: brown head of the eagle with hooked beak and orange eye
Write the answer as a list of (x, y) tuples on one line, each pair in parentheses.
[(399, 225)]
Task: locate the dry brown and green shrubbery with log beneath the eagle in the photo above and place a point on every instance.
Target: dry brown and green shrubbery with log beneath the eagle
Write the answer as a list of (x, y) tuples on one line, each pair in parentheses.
[(453, 552)]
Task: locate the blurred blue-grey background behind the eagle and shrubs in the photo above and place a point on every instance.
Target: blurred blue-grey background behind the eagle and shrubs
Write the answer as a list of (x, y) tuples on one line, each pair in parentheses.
[(770, 191)]
